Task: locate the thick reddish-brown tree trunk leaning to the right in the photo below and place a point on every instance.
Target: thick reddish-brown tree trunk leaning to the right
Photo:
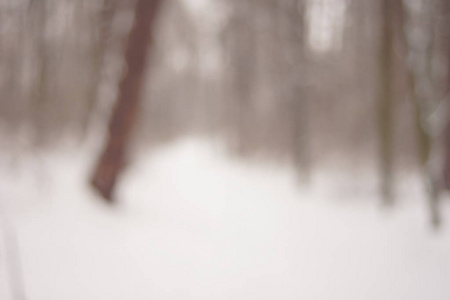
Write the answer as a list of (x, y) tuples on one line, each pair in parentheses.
[(124, 113)]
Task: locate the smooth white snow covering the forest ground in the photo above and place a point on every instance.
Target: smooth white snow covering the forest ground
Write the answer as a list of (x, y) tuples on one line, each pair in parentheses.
[(195, 224)]
